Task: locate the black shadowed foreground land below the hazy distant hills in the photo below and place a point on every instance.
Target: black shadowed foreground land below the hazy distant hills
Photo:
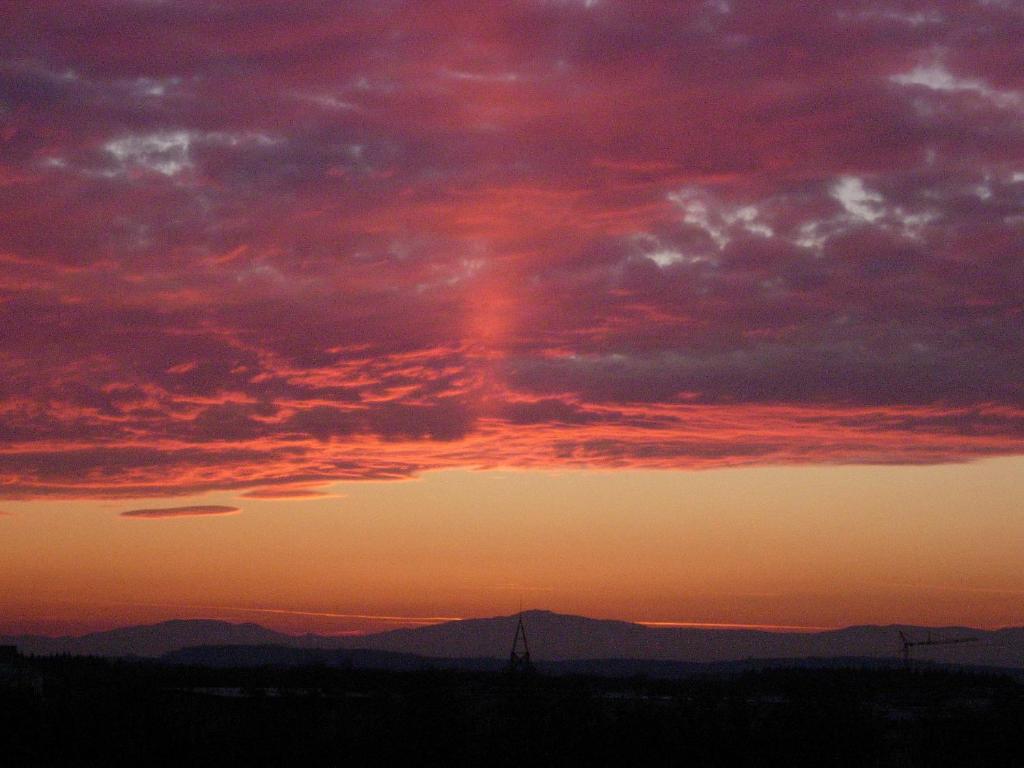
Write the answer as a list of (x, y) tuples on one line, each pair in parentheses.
[(73, 711)]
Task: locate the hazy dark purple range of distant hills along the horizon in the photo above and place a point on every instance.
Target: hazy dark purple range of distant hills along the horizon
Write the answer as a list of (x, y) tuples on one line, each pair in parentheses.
[(553, 637)]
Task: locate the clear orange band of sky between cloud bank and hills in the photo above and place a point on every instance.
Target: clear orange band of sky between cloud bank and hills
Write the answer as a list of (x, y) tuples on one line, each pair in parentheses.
[(785, 548)]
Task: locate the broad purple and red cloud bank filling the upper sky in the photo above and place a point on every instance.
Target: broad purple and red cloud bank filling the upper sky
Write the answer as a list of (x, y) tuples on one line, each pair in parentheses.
[(290, 244)]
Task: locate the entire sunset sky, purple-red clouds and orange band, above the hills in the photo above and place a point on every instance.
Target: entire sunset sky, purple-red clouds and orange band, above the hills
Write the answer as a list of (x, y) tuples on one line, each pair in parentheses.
[(345, 316)]
